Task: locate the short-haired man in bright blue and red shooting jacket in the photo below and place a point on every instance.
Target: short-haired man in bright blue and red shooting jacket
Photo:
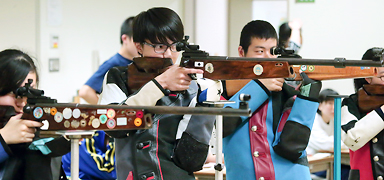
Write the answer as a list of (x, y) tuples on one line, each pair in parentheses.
[(271, 144)]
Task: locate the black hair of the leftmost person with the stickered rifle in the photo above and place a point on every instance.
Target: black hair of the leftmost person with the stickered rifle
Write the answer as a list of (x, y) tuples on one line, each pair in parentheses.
[(15, 65)]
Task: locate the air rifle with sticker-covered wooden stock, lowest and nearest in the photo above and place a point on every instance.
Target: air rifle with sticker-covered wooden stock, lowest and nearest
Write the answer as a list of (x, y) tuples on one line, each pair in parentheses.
[(71, 116)]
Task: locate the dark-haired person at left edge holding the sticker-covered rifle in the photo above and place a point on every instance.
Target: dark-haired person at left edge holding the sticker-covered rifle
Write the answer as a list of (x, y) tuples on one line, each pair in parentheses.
[(24, 155)]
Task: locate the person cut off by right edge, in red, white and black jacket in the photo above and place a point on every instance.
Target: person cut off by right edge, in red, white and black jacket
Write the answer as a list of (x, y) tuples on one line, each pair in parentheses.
[(363, 131)]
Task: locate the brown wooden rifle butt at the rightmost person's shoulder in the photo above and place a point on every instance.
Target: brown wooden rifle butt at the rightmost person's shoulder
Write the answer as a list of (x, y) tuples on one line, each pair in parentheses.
[(370, 97)]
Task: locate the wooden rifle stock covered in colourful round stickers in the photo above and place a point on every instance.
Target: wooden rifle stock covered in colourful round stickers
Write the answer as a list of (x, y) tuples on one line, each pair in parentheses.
[(65, 116)]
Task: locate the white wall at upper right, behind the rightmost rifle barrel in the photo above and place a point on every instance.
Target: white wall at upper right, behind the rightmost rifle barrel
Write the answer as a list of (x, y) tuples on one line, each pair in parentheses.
[(343, 28)]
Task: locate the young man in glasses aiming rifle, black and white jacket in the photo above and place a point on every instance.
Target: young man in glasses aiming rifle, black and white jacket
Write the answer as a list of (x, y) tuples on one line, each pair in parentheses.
[(176, 145)]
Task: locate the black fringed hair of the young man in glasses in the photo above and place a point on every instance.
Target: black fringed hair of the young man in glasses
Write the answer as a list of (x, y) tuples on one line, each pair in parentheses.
[(157, 25)]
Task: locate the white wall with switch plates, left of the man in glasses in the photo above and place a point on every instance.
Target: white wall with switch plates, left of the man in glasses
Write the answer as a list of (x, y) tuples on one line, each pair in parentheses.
[(87, 26)]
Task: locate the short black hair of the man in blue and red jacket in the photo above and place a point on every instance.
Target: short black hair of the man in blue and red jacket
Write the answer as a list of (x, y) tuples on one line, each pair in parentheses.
[(256, 29)]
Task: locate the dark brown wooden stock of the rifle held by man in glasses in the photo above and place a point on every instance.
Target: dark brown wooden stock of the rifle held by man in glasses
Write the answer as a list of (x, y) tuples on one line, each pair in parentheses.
[(144, 69)]
